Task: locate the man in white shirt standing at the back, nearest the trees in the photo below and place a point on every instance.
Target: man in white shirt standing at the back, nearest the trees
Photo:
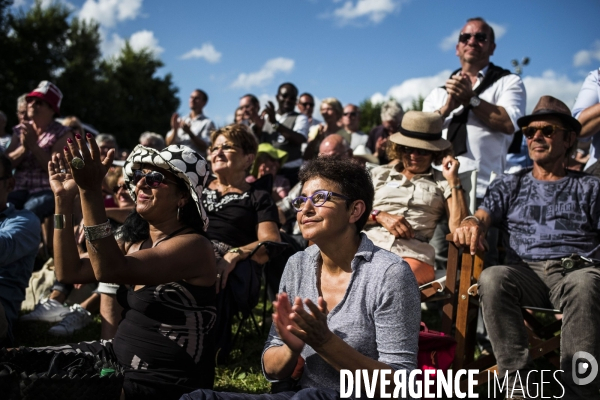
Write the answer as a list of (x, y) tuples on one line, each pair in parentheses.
[(193, 130)]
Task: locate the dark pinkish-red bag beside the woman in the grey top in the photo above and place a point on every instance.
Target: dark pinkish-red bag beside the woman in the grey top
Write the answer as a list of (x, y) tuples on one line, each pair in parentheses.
[(436, 350)]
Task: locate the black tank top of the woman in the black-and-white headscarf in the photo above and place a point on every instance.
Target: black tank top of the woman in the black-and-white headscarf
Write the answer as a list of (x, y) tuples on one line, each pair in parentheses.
[(166, 335)]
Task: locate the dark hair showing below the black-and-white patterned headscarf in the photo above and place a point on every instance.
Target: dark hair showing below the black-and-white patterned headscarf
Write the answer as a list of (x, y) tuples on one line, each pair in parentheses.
[(135, 228)]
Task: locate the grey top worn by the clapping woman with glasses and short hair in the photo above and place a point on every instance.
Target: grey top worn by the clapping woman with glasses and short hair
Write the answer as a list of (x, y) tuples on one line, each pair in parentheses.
[(379, 315)]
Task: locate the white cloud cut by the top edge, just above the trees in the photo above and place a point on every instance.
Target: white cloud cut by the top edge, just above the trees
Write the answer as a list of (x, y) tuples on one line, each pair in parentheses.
[(109, 12)]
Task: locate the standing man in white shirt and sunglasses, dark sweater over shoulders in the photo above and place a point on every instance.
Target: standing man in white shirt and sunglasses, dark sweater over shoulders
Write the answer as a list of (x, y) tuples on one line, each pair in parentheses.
[(492, 113)]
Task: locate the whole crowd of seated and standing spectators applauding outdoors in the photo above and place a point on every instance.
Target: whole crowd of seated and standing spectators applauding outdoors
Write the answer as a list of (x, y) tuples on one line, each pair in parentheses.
[(168, 233)]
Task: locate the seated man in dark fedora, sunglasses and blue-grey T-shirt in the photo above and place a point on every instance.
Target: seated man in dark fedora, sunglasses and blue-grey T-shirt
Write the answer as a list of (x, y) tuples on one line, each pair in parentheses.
[(552, 219)]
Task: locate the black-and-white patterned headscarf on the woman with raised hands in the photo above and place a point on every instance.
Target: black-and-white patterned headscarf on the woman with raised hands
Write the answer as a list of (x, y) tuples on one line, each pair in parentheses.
[(181, 161)]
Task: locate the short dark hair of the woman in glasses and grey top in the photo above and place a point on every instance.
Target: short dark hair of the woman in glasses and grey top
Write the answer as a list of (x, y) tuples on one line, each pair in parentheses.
[(352, 178)]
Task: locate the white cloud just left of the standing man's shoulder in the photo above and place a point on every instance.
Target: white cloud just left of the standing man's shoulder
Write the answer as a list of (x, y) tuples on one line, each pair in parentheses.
[(410, 89)]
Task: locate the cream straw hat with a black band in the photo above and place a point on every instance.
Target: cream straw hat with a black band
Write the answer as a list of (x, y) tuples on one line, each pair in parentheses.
[(421, 130)]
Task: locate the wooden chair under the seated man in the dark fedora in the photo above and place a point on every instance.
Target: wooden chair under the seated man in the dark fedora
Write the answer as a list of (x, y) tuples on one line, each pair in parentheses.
[(461, 310)]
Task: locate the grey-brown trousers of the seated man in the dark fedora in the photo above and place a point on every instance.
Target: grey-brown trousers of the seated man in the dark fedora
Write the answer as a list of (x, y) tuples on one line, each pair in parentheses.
[(504, 289)]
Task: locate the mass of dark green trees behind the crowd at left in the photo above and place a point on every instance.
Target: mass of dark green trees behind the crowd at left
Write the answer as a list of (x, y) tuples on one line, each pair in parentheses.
[(123, 95)]
